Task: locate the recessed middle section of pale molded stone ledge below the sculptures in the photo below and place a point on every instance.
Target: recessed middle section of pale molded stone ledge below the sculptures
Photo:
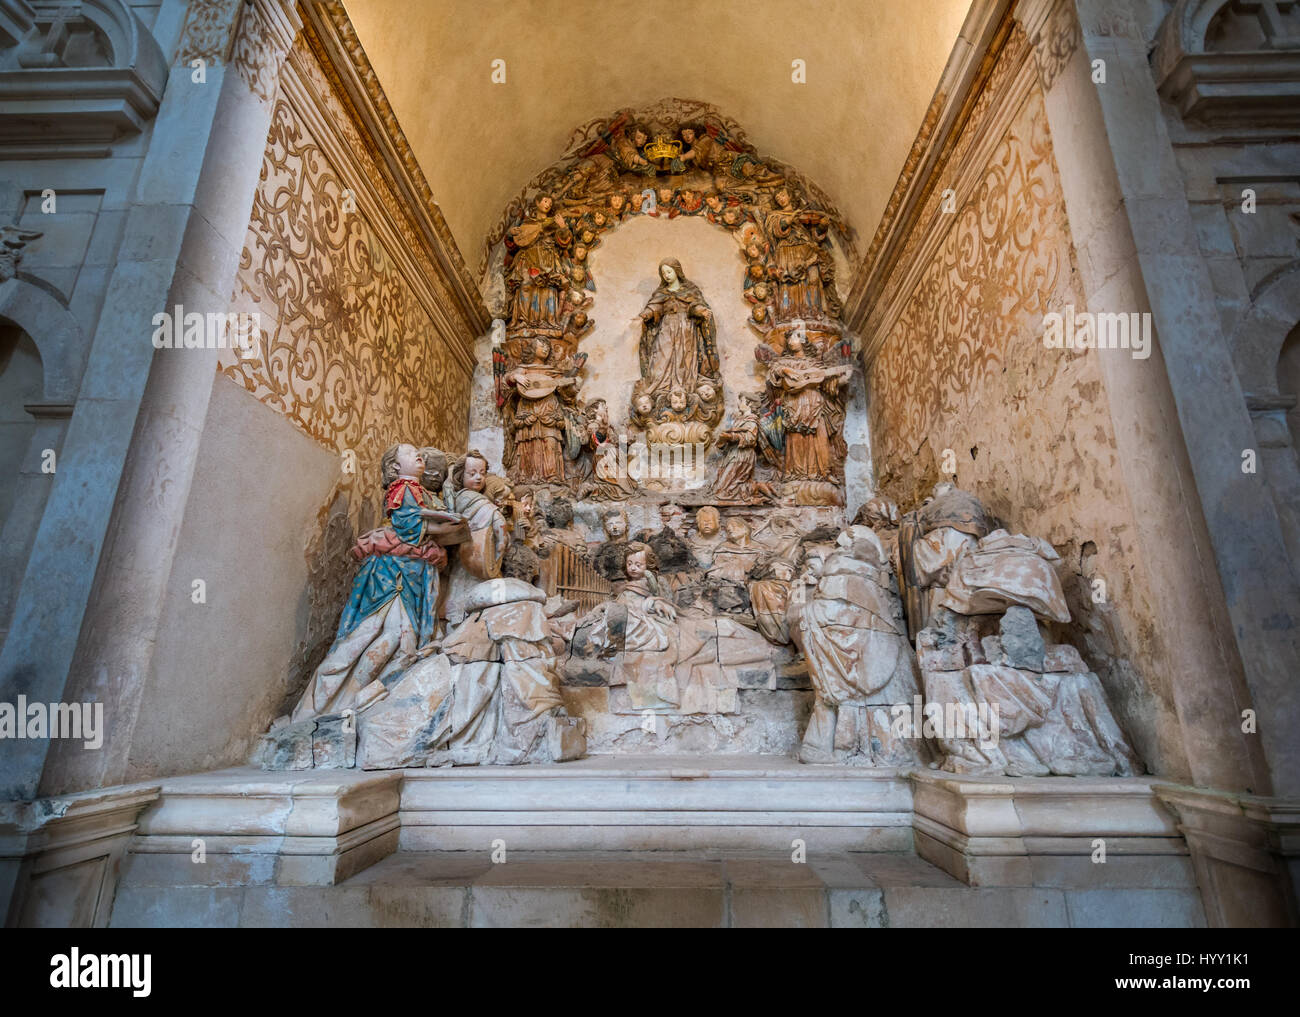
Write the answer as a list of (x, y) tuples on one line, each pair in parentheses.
[(609, 803)]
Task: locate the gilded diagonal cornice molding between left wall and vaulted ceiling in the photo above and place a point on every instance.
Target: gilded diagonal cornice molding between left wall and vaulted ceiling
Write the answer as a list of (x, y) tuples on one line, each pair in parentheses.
[(333, 38)]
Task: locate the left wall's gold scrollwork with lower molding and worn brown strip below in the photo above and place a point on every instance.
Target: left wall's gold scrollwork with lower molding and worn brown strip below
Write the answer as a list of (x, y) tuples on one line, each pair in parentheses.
[(361, 340)]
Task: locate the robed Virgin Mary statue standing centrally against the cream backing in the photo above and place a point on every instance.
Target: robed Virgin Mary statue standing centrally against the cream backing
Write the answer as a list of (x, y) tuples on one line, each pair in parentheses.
[(679, 337)]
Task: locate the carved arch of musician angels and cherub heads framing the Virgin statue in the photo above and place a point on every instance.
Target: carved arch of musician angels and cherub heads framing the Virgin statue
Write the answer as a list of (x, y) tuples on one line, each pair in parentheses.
[(674, 159)]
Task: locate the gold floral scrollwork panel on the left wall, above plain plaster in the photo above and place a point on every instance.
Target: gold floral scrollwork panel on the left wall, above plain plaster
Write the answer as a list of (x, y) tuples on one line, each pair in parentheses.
[(349, 353)]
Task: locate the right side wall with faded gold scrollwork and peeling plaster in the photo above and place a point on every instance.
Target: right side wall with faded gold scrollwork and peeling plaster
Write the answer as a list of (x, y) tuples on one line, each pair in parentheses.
[(961, 384)]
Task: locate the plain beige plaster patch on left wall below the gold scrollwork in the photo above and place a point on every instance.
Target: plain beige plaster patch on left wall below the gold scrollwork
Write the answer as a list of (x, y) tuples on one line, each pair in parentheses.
[(222, 668)]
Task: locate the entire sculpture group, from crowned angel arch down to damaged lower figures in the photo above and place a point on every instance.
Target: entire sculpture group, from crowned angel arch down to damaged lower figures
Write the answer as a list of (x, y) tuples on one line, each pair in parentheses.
[(916, 639)]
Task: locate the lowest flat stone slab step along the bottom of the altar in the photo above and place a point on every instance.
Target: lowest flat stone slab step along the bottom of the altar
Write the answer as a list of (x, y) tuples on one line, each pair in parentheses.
[(593, 889)]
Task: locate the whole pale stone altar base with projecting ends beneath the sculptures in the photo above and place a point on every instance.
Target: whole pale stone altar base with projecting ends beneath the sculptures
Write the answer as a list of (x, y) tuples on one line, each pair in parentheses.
[(655, 841)]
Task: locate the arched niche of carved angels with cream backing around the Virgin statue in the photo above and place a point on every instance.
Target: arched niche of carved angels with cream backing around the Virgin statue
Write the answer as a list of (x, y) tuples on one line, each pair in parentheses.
[(766, 248)]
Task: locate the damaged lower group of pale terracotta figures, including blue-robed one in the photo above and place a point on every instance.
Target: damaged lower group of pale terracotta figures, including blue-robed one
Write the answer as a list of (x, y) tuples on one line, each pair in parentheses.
[(924, 635)]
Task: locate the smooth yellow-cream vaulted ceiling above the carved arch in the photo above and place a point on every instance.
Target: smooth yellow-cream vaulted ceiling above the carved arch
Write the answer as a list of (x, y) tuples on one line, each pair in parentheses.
[(872, 70)]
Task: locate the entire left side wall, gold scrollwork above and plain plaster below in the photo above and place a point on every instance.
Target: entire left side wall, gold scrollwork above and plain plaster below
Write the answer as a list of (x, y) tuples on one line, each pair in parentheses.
[(352, 360)]
